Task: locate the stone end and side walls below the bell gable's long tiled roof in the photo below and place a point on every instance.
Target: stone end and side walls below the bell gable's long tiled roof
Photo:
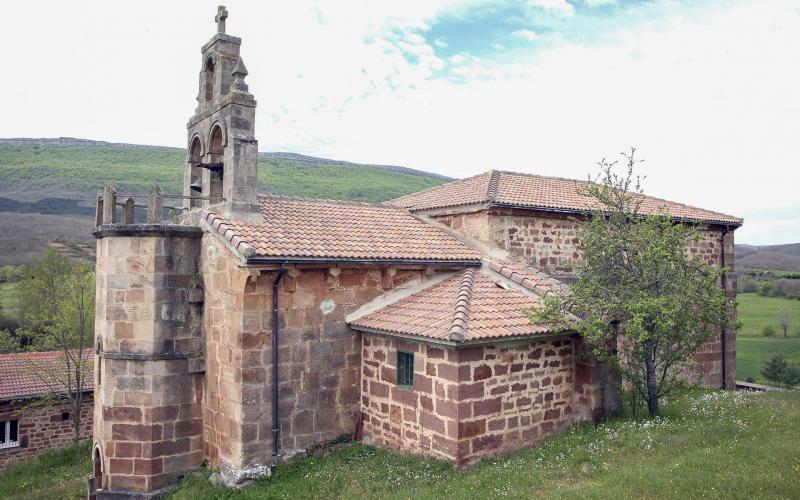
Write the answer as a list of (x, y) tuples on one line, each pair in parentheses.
[(319, 356)]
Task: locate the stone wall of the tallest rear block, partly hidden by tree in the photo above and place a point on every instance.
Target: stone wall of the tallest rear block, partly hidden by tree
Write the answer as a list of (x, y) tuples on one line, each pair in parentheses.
[(550, 242)]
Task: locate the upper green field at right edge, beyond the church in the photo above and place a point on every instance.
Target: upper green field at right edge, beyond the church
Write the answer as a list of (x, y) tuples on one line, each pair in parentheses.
[(756, 312)]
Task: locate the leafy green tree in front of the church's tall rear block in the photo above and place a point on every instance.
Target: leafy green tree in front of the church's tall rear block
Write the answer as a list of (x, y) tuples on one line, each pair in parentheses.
[(642, 303)]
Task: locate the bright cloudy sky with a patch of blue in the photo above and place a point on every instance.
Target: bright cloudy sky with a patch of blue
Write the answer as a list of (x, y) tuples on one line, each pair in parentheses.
[(707, 91)]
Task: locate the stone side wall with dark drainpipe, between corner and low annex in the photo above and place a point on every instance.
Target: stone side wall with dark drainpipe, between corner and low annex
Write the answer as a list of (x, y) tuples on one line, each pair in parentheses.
[(319, 355)]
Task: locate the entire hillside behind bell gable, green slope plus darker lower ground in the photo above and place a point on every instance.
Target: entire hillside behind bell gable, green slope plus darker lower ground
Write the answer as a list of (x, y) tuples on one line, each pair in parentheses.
[(47, 186)]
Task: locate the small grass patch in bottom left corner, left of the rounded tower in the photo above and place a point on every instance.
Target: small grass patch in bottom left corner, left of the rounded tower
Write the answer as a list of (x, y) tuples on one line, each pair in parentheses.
[(55, 474)]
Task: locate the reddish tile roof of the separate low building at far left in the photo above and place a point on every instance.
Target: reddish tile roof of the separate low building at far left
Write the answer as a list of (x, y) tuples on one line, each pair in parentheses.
[(17, 379)]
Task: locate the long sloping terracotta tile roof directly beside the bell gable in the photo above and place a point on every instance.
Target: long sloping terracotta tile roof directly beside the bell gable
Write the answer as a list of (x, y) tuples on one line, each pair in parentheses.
[(304, 228)]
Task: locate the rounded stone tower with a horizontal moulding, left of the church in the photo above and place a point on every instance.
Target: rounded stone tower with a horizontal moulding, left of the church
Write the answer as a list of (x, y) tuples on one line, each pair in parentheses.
[(148, 375)]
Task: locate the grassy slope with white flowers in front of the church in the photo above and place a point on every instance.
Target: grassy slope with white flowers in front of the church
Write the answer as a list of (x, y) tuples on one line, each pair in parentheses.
[(705, 444)]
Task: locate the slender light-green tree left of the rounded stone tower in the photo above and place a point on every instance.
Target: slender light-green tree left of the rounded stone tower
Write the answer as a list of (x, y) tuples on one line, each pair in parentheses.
[(57, 314)]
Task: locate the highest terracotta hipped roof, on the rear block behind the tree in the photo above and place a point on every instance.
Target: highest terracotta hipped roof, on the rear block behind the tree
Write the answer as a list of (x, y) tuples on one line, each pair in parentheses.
[(508, 188)]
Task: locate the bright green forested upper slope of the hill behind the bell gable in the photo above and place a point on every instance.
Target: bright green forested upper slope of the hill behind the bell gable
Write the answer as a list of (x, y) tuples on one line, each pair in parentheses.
[(78, 166)]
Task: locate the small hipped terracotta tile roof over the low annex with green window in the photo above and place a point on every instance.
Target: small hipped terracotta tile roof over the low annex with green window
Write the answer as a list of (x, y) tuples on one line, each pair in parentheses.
[(467, 306)]
